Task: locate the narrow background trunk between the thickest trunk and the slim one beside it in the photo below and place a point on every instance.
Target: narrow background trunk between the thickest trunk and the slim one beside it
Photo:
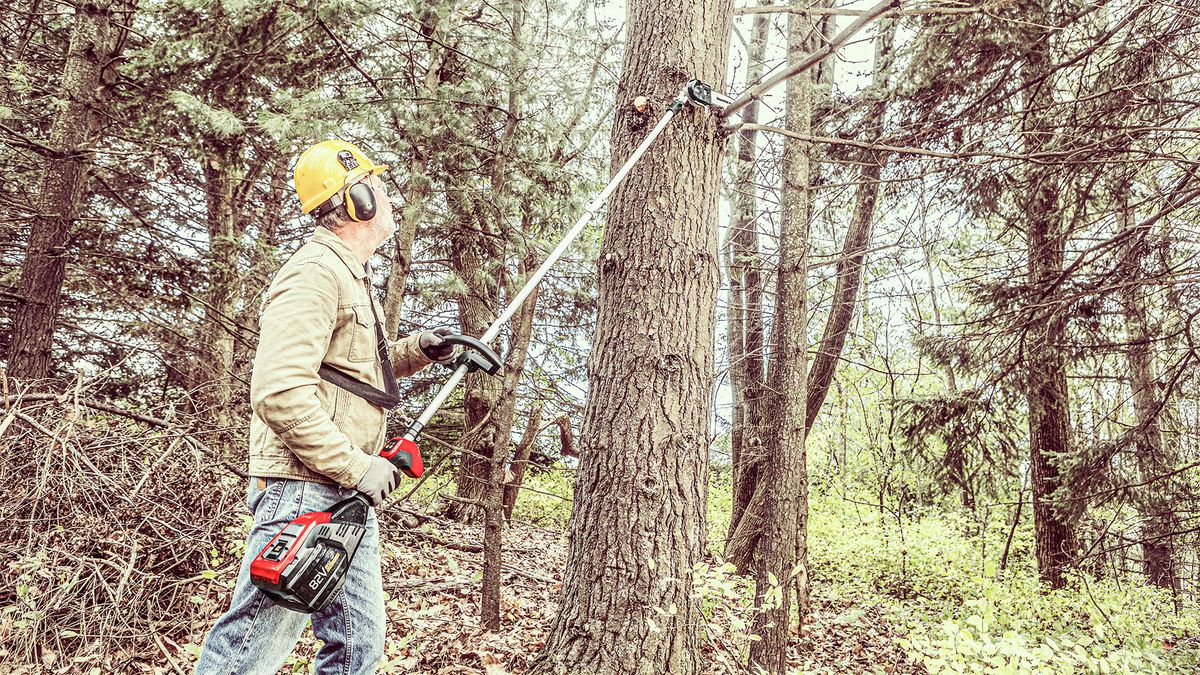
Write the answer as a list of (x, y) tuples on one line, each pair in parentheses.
[(746, 322)]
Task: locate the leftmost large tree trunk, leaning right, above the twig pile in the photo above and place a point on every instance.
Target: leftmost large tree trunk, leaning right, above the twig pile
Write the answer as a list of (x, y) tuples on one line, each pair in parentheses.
[(97, 39)]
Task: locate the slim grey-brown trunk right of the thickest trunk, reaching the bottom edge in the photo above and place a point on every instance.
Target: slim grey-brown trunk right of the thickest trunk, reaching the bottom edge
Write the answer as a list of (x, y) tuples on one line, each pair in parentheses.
[(782, 545)]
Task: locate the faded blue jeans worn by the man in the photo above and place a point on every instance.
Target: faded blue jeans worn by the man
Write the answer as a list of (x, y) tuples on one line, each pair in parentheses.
[(257, 636)]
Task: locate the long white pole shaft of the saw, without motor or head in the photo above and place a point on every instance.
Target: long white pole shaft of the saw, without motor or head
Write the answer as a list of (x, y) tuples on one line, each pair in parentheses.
[(551, 260)]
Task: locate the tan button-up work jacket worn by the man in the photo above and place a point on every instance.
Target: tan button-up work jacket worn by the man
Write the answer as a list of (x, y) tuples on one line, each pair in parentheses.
[(319, 310)]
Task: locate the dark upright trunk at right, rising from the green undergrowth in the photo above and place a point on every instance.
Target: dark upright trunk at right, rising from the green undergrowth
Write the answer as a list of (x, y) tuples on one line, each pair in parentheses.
[(1047, 373)]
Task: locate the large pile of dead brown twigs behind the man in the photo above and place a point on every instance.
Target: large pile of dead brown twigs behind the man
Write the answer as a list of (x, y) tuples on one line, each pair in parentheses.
[(112, 524)]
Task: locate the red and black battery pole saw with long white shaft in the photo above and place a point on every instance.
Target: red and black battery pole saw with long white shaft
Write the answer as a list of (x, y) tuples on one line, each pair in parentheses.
[(305, 565)]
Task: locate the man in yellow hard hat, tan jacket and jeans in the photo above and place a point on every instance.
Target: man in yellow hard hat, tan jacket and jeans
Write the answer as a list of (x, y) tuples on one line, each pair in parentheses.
[(313, 444)]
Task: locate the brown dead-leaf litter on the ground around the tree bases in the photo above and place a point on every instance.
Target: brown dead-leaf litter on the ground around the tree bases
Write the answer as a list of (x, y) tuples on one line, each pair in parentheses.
[(434, 613)]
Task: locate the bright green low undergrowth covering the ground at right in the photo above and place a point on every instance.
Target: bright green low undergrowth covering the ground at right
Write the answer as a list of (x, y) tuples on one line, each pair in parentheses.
[(940, 578)]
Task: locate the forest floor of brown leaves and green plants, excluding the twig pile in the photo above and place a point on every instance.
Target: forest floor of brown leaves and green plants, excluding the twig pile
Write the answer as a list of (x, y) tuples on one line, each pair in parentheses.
[(920, 595)]
